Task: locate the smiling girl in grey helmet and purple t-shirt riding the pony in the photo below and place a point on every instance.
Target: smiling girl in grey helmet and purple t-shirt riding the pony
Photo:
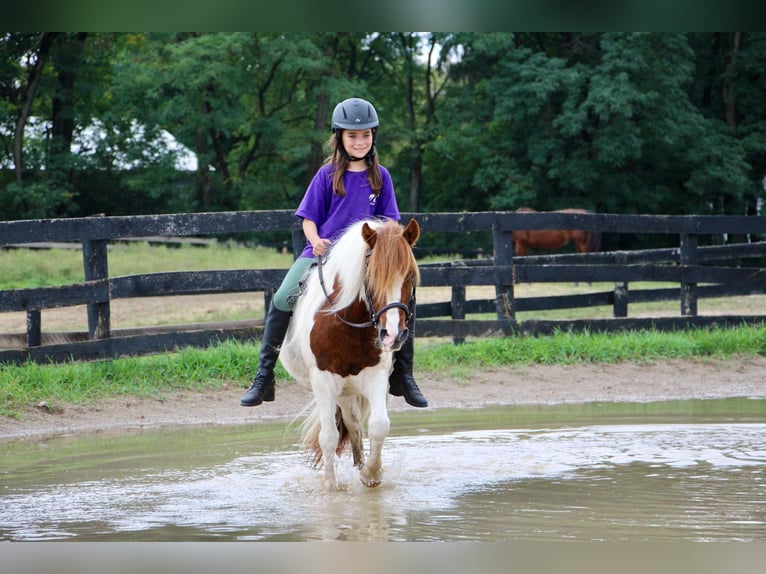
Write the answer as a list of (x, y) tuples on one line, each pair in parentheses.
[(350, 186)]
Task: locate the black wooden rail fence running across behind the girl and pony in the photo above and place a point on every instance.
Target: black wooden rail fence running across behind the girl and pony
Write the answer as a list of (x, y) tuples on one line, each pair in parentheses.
[(690, 266)]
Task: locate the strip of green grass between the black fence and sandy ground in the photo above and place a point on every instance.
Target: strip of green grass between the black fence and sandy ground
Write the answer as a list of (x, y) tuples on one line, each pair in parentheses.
[(234, 363)]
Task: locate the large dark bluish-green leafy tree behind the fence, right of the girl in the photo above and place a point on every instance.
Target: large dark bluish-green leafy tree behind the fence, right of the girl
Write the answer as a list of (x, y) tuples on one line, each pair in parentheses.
[(605, 121)]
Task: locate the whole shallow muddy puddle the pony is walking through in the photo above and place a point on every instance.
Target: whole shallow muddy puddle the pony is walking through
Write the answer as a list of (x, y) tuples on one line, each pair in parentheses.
[(689, 470)]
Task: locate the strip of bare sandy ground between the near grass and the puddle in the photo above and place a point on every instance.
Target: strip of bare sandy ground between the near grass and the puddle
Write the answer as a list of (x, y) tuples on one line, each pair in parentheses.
[(532, 384)]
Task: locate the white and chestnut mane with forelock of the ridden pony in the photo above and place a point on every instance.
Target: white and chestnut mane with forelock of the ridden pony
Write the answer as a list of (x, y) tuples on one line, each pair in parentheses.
[(346, 262)]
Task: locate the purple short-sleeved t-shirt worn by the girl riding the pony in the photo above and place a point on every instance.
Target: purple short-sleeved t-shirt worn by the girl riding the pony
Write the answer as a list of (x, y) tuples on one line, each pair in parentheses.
[(333, 214)]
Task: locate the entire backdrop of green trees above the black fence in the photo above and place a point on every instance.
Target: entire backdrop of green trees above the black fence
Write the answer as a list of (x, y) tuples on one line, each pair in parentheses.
[(615, 122)]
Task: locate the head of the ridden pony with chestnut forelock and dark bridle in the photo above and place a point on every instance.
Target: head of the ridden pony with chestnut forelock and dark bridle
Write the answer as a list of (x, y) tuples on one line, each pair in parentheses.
[(391, 274)]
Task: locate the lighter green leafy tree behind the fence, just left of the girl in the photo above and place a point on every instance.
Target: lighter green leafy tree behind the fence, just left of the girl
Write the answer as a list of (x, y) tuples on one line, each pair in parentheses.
[(241, 101)]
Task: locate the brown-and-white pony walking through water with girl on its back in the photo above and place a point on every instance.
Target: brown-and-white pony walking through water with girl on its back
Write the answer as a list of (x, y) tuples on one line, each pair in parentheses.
[(353, 316)]
